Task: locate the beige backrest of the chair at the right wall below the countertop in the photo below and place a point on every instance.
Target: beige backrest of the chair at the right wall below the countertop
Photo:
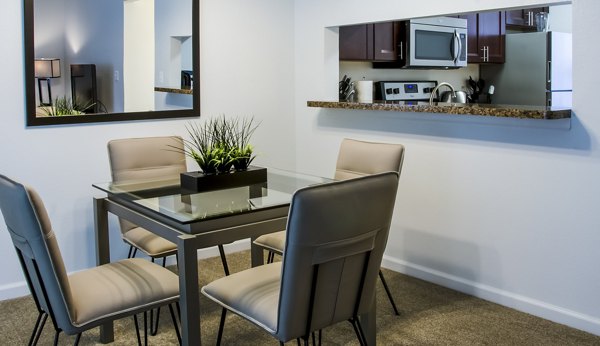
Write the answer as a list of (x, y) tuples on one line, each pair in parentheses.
[(359, 158)]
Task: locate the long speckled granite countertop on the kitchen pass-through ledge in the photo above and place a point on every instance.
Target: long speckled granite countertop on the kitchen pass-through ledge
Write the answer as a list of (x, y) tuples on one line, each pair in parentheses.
[(490, 110)]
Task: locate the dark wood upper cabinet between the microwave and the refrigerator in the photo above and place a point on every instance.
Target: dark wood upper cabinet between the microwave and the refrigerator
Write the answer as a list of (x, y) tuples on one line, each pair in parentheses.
[(485, 32)]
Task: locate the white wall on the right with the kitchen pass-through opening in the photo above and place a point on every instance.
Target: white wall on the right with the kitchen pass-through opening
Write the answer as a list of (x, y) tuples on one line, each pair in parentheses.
[(499, 210)]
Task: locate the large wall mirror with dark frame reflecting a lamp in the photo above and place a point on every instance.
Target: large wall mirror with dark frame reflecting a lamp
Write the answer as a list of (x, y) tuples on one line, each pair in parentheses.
[(111, 60)]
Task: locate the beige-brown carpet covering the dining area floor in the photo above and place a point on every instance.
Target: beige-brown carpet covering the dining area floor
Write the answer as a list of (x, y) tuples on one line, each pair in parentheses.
[(430, 315)]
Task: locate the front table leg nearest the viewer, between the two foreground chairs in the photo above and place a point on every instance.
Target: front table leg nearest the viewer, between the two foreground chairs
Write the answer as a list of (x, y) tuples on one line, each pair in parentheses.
[(189, 299)]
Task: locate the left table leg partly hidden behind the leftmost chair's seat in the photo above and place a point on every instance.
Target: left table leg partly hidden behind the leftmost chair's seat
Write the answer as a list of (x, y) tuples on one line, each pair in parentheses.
[(102, 255)]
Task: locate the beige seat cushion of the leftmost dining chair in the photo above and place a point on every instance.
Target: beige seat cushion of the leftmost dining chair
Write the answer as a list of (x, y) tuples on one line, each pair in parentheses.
[(115, 288)]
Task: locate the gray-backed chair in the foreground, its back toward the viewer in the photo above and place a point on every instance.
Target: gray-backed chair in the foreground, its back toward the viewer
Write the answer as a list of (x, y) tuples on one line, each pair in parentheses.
[(336, 236)]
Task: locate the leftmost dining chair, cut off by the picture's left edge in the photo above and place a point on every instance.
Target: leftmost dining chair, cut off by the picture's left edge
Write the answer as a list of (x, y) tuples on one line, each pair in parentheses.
[(87, 298)]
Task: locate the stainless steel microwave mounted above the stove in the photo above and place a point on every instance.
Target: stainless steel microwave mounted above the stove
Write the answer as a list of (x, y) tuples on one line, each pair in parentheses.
[(437, 42)]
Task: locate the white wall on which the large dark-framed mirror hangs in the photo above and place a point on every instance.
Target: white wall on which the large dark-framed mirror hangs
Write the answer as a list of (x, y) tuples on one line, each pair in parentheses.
[(62, 162)]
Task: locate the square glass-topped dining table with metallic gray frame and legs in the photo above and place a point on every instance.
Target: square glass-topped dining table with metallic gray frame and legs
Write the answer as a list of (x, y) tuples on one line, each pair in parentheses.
[(197, 220)]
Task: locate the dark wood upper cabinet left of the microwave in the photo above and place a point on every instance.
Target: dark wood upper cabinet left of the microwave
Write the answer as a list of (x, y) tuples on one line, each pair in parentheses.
[(369, 42)]
